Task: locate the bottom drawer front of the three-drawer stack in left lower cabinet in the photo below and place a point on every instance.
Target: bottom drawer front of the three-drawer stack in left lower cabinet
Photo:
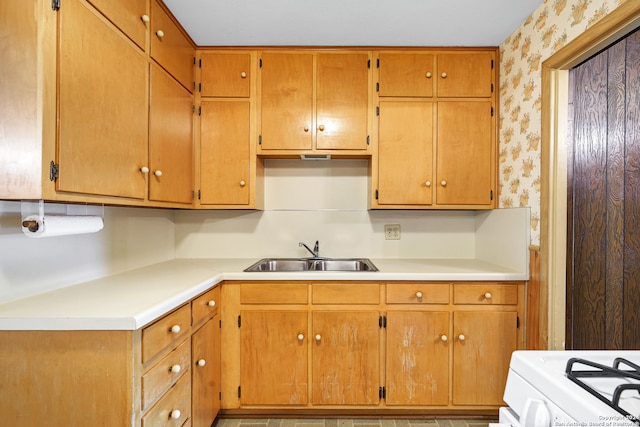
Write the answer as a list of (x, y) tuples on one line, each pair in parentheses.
[(174, 408)]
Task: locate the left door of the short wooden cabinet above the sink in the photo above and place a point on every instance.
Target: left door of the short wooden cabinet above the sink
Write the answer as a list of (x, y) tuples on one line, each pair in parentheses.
[(287, 101)]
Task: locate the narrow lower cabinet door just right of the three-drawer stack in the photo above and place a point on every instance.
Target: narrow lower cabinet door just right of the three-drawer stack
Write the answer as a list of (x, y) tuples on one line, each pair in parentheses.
[(205, 396)]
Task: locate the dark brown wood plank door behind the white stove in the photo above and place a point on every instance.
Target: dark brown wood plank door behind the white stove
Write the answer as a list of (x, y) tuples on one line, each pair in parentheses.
[(603, 230)]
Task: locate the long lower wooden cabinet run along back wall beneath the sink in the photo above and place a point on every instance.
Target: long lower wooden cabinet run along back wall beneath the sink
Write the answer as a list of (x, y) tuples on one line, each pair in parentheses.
[(384, 347)]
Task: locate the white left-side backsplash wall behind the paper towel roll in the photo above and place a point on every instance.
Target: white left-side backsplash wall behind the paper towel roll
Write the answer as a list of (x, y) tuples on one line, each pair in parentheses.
[(131, 238)]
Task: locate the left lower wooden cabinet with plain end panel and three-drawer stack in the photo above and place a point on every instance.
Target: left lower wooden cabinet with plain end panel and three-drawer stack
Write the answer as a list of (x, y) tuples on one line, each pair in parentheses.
[(166, 374)]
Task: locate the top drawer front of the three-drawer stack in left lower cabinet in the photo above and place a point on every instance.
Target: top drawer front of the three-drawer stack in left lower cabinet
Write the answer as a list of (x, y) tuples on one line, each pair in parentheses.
[(171, 328)]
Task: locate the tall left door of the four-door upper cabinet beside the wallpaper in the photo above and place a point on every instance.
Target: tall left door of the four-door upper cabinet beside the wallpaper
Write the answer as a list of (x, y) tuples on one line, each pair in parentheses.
[(405, 153)]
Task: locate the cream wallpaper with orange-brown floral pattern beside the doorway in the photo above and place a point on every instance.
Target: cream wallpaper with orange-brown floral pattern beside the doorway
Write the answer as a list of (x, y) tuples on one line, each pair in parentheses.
[(549, 28)]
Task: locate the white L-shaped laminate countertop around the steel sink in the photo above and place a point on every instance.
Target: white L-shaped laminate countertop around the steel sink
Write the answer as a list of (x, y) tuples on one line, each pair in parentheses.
[(133, 299)]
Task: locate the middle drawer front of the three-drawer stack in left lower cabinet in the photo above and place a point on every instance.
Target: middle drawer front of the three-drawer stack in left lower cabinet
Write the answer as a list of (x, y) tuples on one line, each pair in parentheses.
[(165, 373)]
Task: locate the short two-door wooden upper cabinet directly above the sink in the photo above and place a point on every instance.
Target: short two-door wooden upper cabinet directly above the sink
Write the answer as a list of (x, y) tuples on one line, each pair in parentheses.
[(314, 102)]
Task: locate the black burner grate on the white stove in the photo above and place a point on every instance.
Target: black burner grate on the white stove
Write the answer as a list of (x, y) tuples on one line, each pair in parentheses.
[(604, 371)]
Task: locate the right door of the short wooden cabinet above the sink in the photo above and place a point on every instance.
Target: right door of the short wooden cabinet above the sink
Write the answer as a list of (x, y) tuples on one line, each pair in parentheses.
[(342, 101)]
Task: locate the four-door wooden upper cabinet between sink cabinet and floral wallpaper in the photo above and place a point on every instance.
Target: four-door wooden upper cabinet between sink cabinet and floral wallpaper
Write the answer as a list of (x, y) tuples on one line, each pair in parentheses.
[(436, 139)]
